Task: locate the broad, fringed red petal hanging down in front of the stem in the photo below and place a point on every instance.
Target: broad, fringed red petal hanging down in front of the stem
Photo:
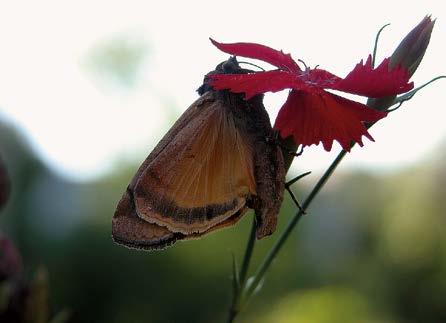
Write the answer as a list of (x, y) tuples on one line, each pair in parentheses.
[(313, 117)]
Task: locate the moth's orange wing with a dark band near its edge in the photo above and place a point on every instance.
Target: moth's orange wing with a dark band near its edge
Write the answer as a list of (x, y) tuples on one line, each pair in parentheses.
[(200, 174)]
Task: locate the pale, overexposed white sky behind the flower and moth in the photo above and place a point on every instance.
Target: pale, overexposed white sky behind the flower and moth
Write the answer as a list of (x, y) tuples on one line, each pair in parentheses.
[(83, 126)]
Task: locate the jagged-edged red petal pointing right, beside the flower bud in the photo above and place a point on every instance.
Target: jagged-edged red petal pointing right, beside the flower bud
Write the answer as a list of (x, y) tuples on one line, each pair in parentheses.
[(375, 83)]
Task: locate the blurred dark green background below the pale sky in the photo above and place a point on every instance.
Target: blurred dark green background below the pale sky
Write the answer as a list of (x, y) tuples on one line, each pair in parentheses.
[(372, 249)]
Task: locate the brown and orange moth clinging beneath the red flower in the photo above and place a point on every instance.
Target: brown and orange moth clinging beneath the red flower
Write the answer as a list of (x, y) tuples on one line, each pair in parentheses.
[(216, 162)]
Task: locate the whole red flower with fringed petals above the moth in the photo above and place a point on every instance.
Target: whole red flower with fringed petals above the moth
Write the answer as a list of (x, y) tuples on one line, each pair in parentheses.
[(311, 114)]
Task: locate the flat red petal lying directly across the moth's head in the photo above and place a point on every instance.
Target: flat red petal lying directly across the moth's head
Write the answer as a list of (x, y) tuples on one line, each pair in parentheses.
[(256, 83)]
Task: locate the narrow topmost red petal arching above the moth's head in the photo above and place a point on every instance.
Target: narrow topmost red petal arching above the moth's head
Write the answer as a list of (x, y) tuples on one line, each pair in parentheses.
[(261, 52)]
